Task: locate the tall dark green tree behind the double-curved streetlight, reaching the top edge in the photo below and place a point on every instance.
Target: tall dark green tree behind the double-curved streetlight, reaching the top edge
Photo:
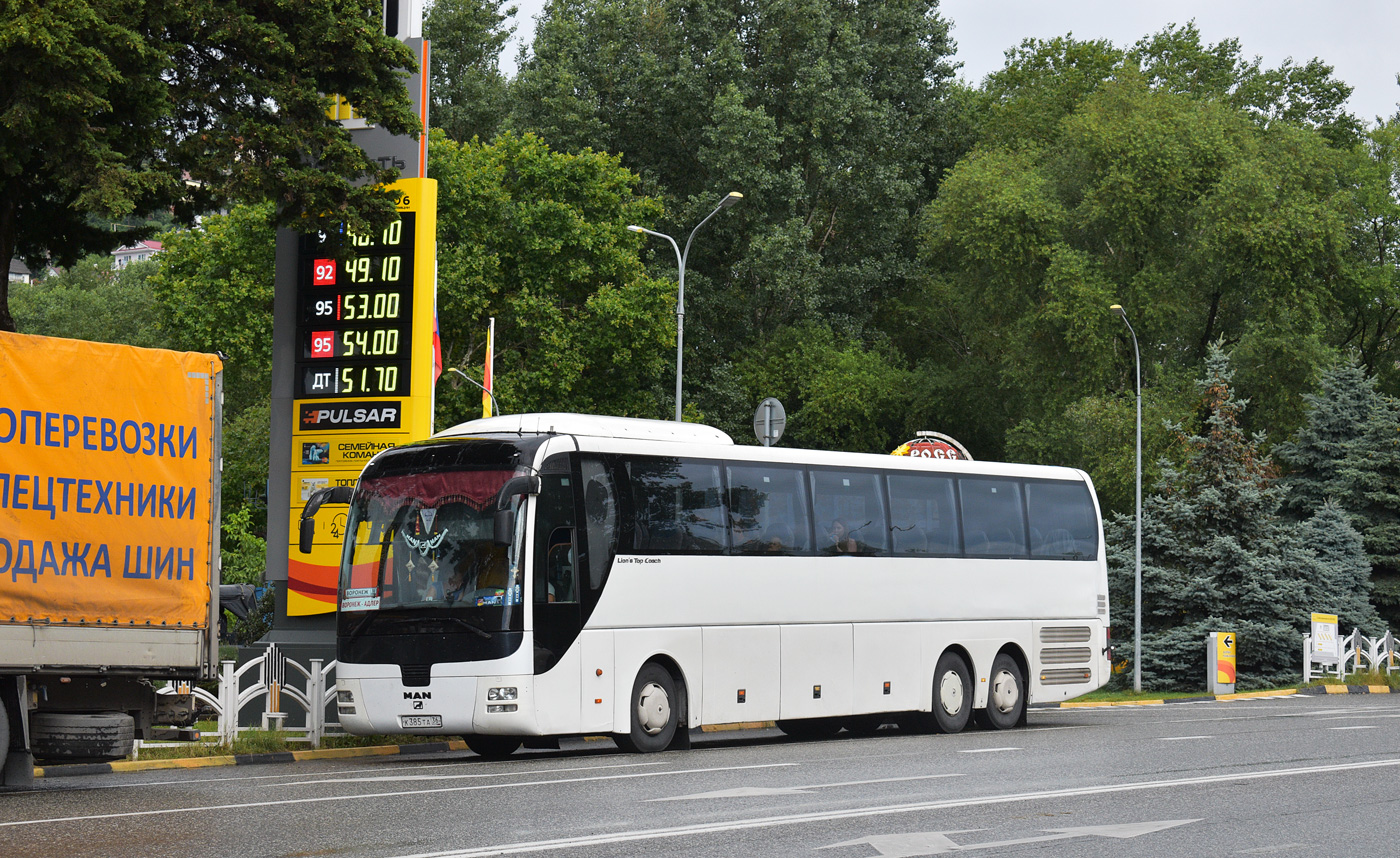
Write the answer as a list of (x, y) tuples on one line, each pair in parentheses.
[(829, 118)]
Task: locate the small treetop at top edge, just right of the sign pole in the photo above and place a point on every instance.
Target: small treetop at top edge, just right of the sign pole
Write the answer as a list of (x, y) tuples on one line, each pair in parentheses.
[(468, 87)]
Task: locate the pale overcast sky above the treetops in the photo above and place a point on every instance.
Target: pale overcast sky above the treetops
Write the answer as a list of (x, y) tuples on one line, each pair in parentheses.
[(1356, 37)]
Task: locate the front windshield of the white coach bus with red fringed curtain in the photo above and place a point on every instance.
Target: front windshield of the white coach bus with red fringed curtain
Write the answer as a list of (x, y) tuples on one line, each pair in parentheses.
[(425, 541)]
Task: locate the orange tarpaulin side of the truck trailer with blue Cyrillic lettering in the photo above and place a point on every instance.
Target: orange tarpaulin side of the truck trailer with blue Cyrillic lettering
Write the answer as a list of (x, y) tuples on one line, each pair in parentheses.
[(107, 471)]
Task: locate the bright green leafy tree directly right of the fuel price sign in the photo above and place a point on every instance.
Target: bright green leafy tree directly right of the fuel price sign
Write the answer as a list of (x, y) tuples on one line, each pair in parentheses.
[(540, 240)]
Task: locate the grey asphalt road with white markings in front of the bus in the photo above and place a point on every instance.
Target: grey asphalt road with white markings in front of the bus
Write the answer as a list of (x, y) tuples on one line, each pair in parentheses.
[(1289, 776)]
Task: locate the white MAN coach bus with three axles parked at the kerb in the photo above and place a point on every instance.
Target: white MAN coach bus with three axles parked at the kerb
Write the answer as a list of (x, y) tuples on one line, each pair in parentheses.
[(540, 576)]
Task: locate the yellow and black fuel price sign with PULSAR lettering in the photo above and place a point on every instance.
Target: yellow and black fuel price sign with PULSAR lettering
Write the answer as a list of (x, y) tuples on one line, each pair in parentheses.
[(365, 372)]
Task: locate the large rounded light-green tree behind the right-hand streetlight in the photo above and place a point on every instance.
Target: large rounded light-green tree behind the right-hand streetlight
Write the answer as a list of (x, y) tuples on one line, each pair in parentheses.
[(1161, 178)]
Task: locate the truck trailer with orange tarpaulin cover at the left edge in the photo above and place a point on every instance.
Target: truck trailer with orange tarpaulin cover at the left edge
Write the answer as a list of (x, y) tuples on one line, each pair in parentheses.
[(110, 488)]
